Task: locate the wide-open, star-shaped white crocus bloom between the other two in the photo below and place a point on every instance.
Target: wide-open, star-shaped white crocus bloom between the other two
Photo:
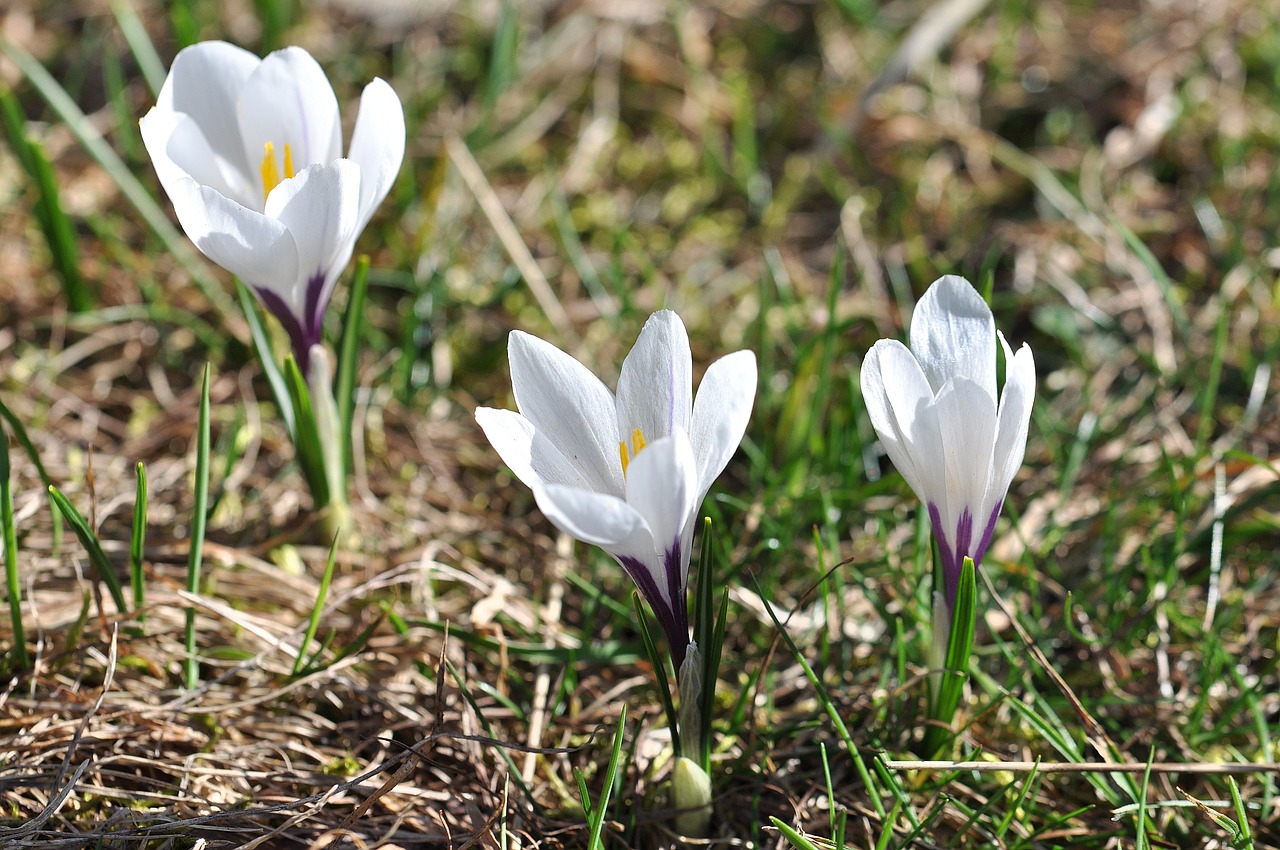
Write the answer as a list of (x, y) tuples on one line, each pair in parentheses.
[(627, 473)]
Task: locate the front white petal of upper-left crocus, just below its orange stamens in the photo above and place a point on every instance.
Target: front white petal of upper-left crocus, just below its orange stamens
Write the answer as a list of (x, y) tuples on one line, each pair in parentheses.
[(321, 208)]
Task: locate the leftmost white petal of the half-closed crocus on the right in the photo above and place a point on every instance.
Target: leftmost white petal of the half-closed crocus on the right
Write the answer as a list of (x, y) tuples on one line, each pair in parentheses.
[(900, 405)]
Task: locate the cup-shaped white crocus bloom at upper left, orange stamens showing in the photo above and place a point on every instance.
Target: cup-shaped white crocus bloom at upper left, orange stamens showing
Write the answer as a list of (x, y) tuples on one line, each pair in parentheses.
[(250, 153)]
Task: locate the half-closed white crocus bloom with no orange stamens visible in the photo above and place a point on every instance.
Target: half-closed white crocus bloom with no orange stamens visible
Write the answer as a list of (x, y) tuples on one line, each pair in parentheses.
[(936, 412)]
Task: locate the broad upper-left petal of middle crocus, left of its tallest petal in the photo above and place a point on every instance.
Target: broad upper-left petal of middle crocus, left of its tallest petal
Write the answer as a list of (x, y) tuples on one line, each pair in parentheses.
[(570, 406)]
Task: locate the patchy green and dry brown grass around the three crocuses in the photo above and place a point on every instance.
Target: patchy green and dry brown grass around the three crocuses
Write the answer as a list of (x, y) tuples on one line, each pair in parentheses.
[(711, 161)]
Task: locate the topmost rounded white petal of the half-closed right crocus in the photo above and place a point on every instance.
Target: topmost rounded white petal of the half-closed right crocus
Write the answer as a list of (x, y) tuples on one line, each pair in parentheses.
[(954, 335)]
